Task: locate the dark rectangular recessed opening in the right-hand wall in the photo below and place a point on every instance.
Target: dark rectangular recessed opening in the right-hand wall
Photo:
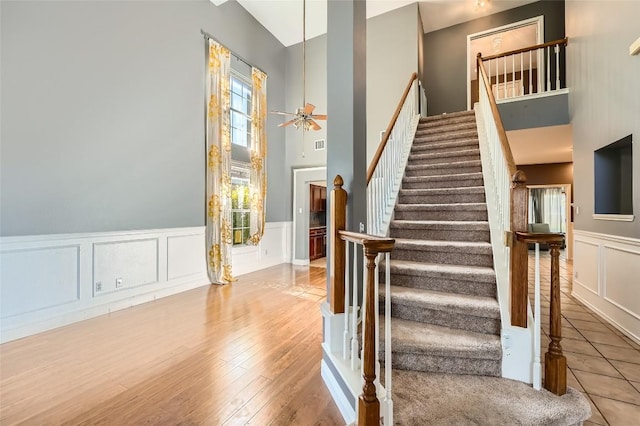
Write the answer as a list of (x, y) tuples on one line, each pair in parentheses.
[(613, 178)]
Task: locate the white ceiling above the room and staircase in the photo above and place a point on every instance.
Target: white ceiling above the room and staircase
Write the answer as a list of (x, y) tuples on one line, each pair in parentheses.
[(283, 18)]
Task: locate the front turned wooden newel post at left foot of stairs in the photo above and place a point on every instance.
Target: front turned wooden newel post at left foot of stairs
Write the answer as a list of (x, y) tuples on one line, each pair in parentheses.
[(368, 404)]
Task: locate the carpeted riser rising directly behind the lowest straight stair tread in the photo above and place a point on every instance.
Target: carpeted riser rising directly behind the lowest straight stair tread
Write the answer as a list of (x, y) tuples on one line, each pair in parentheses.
[(449, 319)]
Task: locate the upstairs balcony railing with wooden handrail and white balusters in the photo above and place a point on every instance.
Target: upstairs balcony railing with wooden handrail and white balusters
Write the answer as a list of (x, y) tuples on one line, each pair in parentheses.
[(529, 71)]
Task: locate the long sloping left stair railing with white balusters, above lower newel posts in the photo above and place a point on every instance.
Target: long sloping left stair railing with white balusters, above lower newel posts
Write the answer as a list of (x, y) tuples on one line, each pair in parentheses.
[(385, 172)]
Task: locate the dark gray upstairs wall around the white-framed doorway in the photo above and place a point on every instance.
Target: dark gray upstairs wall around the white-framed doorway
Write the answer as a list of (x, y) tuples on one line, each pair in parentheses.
[(445, 52)]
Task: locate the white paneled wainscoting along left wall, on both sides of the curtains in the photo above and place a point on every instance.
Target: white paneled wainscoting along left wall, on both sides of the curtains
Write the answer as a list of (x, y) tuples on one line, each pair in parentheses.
[(48, 281)]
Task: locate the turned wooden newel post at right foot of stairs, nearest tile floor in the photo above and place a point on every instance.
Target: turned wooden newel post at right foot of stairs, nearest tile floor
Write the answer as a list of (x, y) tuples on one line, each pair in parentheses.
[(555, 364)]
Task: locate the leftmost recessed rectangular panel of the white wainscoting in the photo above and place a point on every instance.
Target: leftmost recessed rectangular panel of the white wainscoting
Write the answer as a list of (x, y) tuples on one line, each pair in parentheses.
[(38, 278)]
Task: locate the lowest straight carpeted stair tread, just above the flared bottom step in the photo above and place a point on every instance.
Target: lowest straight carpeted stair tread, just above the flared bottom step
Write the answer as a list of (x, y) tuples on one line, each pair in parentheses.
[(434, 340)]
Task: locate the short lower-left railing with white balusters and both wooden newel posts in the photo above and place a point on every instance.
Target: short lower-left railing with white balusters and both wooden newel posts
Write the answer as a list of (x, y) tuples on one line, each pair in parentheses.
[(361, 368)]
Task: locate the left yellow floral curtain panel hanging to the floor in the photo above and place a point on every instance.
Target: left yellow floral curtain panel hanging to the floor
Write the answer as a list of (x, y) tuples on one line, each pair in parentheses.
[(218, 176)]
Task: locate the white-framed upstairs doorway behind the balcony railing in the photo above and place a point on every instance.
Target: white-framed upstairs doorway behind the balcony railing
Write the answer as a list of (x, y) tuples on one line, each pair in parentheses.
[(498, 40)]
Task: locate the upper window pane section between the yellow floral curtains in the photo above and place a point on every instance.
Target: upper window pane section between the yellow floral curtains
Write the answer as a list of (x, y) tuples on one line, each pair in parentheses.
[(240, 111)]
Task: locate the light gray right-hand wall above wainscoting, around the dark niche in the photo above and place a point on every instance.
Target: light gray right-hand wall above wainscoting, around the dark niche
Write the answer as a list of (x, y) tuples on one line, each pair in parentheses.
[(604, 99)]
